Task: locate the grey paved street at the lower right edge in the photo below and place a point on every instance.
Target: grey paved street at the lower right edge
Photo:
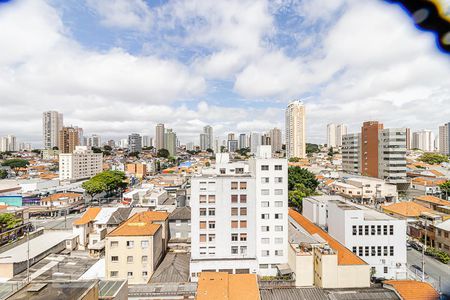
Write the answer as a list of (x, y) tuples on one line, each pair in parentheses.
[(434, 268)]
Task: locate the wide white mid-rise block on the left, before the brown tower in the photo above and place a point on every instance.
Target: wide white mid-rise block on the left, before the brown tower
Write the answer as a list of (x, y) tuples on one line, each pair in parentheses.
[(80, 164)]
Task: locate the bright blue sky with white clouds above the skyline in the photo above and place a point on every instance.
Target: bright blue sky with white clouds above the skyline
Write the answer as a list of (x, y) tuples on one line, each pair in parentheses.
[(114, 67)]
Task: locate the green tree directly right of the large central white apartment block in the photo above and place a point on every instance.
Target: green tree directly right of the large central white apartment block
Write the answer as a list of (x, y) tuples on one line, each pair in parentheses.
[(301, 183)]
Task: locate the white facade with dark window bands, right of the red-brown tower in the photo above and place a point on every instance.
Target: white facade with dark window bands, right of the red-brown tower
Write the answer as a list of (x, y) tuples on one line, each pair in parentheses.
[(392, 155)]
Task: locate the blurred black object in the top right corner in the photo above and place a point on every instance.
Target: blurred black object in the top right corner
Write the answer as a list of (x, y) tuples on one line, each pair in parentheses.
[(430, 16)]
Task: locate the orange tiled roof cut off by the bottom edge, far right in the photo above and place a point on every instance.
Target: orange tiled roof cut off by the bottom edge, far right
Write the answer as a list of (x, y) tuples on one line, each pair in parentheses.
[(413, 290)]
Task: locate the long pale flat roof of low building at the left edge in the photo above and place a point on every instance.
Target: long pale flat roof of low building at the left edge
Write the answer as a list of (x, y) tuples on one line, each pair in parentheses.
[(38, 245)]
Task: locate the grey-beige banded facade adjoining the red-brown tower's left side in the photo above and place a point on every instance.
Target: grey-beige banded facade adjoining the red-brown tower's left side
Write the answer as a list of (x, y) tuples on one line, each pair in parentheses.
[(351, 153)]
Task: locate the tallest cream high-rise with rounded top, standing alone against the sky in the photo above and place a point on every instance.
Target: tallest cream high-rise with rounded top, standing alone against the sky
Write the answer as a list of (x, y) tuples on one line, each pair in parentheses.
[(295, 130)]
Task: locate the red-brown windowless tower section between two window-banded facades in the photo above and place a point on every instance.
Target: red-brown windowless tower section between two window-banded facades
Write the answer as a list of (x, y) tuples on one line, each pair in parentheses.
[(369, 148)]
